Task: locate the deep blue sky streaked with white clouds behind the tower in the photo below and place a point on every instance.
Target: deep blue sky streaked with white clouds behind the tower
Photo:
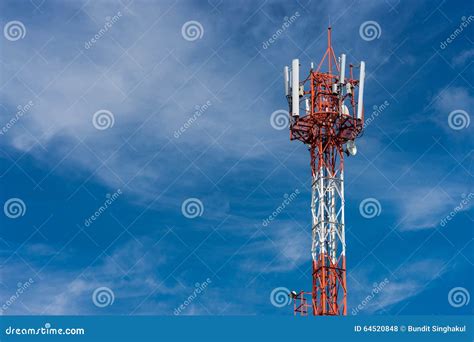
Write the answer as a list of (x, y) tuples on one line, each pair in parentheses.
[(414, 158)]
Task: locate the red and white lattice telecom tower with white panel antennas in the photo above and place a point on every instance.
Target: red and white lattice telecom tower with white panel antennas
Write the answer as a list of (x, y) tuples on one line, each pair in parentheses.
[(326, 114)]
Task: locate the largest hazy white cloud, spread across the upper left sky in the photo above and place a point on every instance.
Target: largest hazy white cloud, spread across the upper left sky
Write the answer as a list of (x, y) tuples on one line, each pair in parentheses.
[(168, 76)]
